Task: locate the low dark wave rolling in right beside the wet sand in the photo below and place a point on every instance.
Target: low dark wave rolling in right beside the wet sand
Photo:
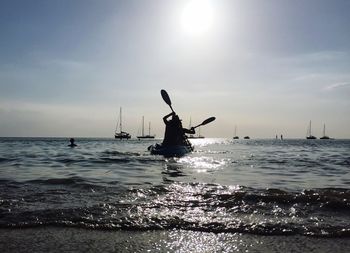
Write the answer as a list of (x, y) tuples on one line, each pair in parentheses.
[(160, 223)]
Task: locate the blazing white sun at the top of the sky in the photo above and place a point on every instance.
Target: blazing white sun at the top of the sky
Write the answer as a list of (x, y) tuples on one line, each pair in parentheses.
[(197, 17)]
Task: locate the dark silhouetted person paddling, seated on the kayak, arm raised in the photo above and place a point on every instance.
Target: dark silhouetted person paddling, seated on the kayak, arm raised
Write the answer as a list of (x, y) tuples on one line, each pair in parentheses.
[(174, 132)]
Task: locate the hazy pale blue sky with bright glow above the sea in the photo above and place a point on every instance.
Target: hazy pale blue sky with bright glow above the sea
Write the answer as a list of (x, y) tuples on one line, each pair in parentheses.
[(268, 67)]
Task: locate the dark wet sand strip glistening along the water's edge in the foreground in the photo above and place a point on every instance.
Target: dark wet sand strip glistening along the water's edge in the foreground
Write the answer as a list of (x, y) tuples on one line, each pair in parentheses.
[(56, 239)]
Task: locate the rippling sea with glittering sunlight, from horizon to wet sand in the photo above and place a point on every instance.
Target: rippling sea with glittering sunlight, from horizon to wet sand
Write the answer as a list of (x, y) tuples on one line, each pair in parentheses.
[(265, 187)]
